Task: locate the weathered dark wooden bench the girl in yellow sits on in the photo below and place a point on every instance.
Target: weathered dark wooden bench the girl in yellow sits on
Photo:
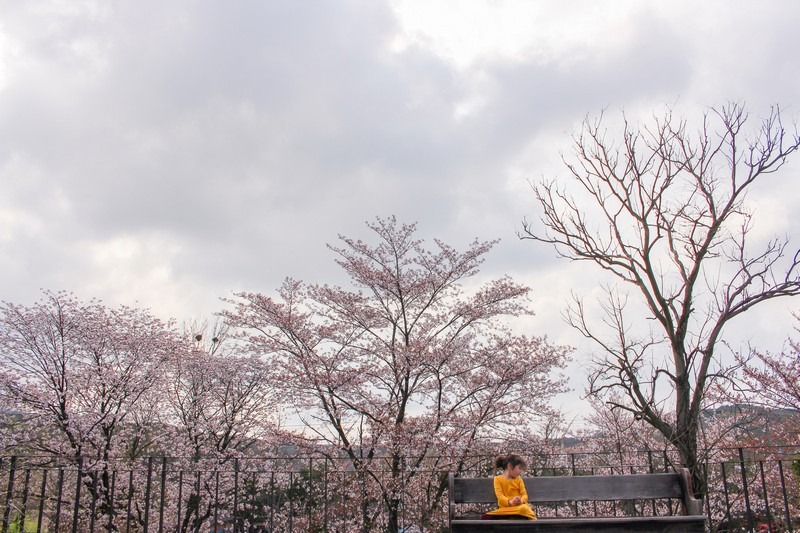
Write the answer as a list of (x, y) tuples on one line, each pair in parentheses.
[(672, 487)]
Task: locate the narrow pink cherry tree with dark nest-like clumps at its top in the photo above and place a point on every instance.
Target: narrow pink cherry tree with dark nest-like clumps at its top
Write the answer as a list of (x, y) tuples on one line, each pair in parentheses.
[(219, 405)]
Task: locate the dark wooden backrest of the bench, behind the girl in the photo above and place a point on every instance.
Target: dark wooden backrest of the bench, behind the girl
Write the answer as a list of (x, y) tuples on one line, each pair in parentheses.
[(584, 488)]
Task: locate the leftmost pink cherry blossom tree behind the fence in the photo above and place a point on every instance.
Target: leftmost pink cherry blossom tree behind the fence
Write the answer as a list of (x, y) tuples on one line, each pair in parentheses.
[(77, 372)]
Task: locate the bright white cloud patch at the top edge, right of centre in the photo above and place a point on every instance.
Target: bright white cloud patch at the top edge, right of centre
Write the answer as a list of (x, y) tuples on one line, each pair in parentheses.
[(473, 33)]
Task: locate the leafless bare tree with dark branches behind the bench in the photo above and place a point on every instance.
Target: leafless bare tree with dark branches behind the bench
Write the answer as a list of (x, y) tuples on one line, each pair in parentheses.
[(663, 210)]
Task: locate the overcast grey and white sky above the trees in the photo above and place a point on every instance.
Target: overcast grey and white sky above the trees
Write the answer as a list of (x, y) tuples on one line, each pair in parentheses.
[(166, 154)]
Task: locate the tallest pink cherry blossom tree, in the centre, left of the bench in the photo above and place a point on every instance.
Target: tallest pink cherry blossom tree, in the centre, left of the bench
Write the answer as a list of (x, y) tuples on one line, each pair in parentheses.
[(415, 360)]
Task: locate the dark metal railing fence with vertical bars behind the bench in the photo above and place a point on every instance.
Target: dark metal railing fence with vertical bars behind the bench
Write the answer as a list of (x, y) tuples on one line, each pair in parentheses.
[(748, 489)]
